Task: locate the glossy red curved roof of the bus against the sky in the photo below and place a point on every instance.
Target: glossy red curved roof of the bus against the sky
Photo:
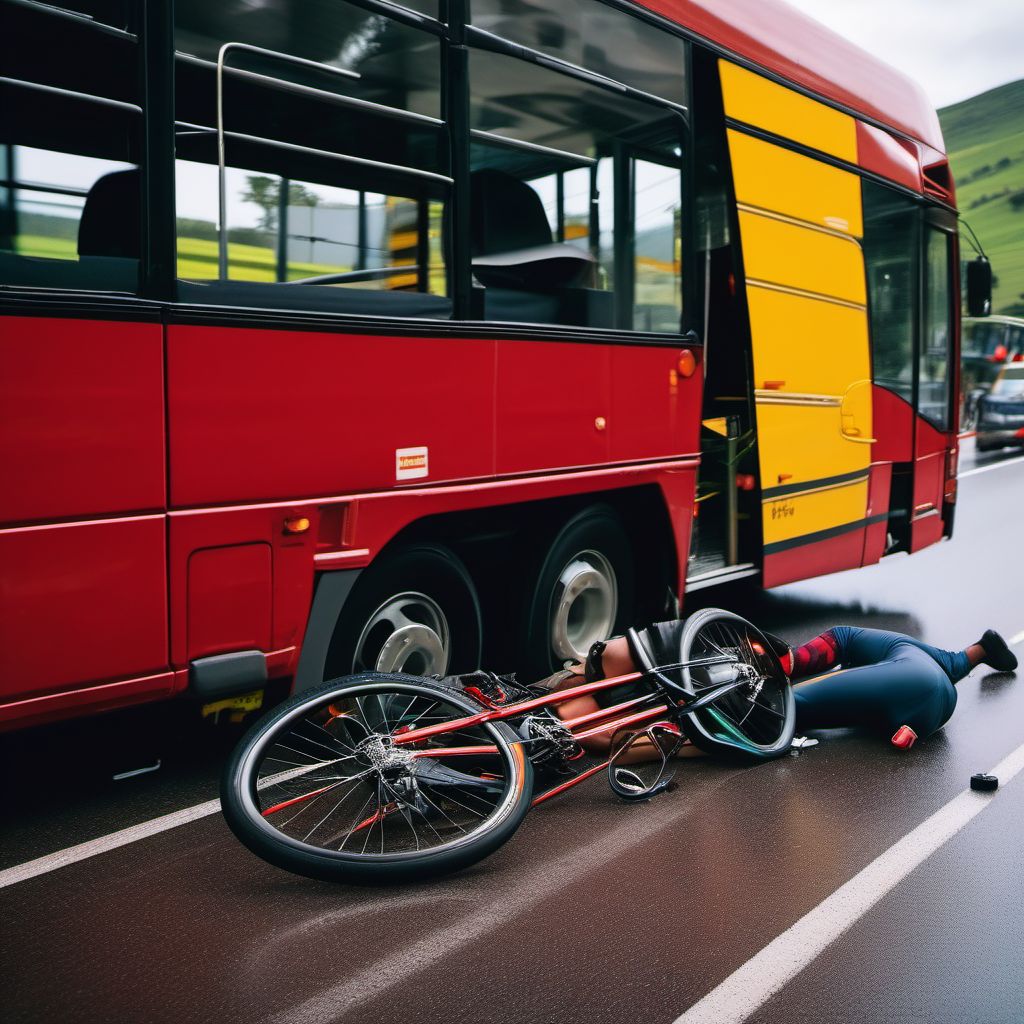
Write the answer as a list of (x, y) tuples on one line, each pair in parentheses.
[(785, 41)]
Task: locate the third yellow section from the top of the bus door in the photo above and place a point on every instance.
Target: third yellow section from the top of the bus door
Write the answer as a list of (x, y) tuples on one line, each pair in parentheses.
[(792, 257)]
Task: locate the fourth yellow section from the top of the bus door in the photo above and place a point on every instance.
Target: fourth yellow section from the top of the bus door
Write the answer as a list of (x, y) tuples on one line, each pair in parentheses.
[(806, 346)]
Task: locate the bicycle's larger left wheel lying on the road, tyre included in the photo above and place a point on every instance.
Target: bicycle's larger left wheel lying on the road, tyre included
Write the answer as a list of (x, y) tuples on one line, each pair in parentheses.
[(327, 788)]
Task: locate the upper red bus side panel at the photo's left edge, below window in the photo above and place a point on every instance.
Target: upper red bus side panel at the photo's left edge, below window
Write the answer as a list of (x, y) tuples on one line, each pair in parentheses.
[(81, 419)]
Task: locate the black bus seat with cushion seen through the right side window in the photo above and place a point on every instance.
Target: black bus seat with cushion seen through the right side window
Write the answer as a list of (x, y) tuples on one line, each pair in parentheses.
[(511, 239)]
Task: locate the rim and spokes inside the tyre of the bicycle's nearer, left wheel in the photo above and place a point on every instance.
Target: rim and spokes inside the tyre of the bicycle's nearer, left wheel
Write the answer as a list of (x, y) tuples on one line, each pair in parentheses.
[(331, 780)]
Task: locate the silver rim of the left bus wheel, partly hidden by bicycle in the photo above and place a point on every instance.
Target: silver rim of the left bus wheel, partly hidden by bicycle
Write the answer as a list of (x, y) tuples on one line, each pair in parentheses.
[(408, 633)]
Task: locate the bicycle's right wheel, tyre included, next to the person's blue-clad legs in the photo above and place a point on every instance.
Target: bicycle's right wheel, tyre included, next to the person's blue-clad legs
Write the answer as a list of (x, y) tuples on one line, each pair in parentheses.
[(757, 719)]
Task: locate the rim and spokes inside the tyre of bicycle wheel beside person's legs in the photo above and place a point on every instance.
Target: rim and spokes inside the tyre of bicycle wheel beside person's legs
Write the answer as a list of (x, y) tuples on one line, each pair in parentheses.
[(755, 716)]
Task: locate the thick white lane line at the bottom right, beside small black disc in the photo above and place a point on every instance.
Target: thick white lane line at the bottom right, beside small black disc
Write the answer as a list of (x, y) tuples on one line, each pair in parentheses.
[(766, 973)]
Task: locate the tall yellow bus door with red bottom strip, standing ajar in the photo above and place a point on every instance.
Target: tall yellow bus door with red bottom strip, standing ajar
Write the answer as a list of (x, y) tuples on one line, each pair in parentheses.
[(800, 226)]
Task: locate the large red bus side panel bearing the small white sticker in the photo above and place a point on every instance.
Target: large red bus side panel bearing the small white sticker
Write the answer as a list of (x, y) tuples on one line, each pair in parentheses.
[(261, 415)]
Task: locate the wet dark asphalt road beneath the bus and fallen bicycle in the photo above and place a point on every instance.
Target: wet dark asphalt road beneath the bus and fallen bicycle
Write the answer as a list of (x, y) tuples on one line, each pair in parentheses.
[(596, 911)]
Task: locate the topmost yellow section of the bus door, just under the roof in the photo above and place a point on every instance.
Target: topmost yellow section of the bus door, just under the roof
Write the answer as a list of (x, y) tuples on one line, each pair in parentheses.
[(756, 101)]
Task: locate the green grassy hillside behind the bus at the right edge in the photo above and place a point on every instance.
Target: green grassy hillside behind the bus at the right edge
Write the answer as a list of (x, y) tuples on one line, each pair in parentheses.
[(986, 141)]
